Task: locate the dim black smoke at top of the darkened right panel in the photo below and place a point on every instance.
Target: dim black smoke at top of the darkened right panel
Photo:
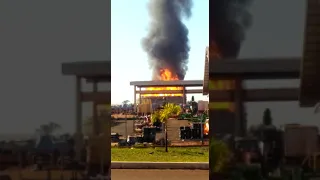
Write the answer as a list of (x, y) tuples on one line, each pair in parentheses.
[(229, 19)]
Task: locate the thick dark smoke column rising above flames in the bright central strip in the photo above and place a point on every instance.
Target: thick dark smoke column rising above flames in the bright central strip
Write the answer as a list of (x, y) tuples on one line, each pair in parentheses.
[(167, 42)]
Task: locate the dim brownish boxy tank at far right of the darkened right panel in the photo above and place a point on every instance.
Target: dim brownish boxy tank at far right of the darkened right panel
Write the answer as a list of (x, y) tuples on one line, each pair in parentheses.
[(300, 140)]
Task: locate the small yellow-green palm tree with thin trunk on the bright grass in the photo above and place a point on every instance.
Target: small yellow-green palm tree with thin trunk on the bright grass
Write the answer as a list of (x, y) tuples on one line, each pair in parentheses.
[(168, 111)]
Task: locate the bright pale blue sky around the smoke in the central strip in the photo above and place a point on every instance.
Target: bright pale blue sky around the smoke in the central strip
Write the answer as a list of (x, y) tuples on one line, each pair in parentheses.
[(130, 63)]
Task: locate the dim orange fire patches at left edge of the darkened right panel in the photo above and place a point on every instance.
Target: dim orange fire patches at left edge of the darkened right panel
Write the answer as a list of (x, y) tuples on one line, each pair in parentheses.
[(214, 54)]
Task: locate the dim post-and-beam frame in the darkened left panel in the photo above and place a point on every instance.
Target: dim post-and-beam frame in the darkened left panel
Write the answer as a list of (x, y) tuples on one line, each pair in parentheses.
[(93, 72)]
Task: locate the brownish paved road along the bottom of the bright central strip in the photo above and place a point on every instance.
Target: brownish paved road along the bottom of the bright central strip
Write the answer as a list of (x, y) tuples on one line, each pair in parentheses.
[(135, 174)]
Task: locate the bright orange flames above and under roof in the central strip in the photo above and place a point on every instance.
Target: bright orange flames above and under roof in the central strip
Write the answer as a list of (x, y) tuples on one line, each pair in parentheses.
[(164, 75)]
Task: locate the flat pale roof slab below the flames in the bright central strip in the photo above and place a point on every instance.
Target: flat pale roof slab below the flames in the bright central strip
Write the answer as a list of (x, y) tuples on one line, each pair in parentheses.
[(167, 83)]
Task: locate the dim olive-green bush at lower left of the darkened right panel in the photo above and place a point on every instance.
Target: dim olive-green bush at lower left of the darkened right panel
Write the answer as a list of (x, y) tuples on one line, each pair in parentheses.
[(219, 155)]
